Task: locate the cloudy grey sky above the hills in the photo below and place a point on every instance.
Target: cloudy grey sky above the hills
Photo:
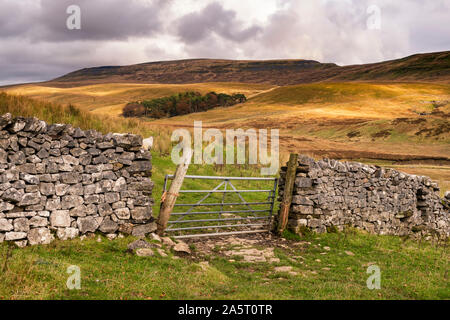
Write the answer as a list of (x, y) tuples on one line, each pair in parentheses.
[(35, 43)]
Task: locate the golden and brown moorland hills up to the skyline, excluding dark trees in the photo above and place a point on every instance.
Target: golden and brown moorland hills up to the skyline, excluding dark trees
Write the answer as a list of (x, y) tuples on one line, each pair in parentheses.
[(390, 111)]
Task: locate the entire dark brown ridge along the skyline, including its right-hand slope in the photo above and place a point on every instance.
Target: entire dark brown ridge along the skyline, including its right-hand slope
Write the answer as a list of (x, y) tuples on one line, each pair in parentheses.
[(428, 67)]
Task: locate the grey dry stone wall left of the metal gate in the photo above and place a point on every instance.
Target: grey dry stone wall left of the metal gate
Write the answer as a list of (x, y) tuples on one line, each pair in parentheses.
[(57, 181)]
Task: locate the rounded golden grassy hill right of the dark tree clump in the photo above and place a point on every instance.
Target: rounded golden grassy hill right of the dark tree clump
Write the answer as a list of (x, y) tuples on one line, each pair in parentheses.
[(335, 111)]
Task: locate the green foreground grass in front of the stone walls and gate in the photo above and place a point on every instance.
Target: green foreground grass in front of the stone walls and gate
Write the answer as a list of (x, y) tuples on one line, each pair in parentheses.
[(409, 270)]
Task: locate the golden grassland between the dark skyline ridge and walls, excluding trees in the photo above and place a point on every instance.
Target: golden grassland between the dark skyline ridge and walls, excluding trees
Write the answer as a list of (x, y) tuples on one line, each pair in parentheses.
[(390, 121)]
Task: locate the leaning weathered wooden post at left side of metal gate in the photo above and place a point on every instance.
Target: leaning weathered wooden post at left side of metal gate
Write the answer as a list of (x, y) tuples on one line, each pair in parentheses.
[(170, 197)]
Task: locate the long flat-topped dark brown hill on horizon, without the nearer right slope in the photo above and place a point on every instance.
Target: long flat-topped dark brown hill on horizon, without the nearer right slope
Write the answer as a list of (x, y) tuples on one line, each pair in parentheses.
[(201, 70)]
